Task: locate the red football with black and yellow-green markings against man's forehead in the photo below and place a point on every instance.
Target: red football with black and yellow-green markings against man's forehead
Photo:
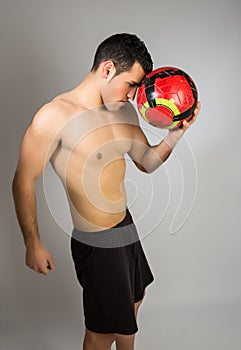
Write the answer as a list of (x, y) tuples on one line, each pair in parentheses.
[(167, 97)]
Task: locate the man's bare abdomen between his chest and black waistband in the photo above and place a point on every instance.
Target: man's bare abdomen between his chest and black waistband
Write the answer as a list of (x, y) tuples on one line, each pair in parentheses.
[(97, 198)]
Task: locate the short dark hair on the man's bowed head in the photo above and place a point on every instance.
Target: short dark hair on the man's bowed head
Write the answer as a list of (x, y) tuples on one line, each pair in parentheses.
[(123, 50)]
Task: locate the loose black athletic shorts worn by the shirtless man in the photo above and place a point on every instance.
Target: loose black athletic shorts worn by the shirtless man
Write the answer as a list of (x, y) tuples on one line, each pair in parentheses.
[(113, 278)]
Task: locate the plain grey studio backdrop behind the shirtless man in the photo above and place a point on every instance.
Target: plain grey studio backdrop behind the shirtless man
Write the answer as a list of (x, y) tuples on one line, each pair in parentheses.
[(46, 48)]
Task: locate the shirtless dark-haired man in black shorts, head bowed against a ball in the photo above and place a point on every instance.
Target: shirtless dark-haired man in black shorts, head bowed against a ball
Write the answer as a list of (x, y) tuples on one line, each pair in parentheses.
[(85, 134)]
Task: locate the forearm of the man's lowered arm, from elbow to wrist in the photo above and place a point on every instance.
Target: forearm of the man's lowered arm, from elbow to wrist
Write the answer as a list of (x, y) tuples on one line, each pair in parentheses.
[(25, 206)]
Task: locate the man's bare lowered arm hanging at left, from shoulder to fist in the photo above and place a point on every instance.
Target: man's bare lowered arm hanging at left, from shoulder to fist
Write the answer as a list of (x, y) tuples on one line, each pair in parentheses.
[(38, 145)]
